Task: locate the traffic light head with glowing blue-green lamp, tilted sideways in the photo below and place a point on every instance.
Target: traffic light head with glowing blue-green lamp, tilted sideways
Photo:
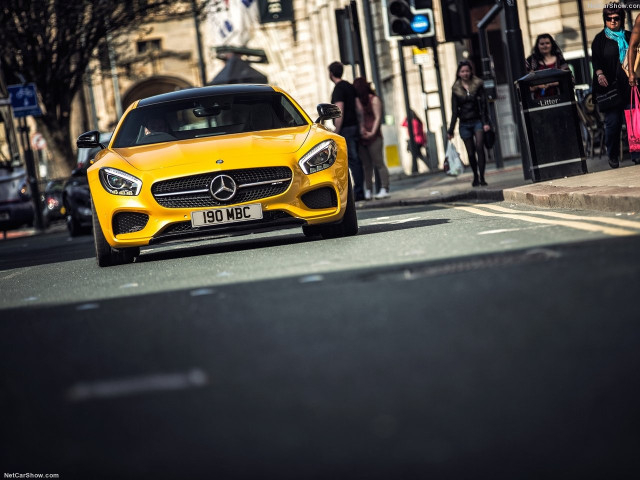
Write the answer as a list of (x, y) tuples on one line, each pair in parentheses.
[(408, 19)]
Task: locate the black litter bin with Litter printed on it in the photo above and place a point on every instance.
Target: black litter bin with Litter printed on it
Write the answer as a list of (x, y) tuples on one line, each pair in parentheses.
[(551, 124)]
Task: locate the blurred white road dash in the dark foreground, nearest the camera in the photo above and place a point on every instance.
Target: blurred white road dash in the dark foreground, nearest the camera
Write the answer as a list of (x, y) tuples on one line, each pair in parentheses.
[(122, 387)]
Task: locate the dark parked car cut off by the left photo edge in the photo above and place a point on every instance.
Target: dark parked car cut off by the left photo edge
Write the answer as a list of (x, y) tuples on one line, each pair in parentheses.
[(16, 205)]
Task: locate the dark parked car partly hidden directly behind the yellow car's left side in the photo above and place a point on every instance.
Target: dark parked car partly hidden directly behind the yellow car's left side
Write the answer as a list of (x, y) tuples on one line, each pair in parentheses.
[(76, 196)]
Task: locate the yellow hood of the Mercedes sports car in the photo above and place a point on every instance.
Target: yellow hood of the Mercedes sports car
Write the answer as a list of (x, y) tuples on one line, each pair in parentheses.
[(229, 148)]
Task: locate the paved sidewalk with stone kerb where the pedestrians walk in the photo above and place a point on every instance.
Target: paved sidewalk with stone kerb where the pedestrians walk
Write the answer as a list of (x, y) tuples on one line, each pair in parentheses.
[(603, 188)]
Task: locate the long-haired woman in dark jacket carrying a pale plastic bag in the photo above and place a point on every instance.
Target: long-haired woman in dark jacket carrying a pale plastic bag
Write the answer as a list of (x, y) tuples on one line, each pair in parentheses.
[(469, 104)]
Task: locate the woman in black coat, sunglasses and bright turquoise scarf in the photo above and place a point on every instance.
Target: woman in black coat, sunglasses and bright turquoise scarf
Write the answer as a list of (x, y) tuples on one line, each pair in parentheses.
[(610, 84)]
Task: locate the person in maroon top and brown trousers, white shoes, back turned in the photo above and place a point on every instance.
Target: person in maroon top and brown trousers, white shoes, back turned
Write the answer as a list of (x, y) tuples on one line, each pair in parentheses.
[(370, 147)]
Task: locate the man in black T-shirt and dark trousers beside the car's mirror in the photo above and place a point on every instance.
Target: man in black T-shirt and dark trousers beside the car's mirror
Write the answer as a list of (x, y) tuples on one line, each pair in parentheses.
[(344, 96)]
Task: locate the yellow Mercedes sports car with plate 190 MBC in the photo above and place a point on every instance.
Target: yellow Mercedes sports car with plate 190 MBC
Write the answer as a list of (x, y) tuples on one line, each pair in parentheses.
[(204, 161)]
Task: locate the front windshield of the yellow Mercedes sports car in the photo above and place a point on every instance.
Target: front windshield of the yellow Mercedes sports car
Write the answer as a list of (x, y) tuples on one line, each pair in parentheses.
[(207, 116)]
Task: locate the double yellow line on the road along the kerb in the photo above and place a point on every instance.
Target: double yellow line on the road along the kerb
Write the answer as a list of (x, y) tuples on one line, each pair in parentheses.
[(612, 226)]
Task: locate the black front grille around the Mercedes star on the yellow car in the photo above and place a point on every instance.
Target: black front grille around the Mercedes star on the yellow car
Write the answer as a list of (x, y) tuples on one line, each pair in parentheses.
[(194, 191)]
